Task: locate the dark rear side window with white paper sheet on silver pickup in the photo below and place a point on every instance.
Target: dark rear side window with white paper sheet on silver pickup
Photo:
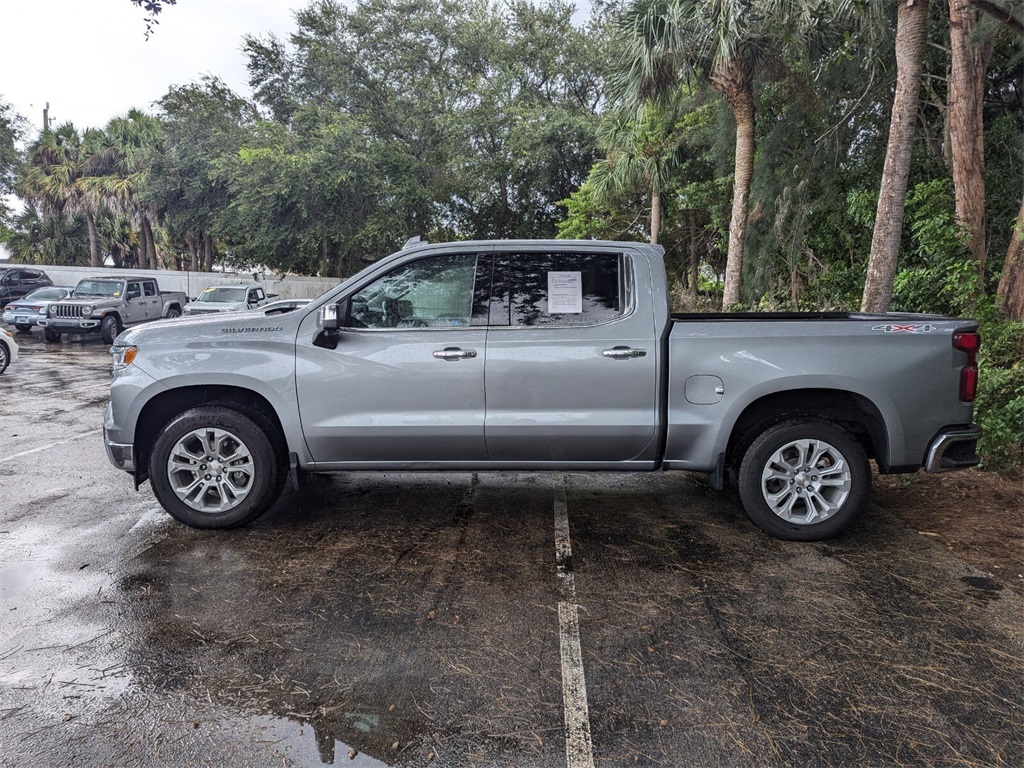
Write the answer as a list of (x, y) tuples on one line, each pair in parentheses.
[(560, 289)]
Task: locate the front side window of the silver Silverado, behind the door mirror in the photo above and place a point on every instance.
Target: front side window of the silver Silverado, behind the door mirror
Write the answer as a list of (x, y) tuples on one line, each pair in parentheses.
[(435, 292)]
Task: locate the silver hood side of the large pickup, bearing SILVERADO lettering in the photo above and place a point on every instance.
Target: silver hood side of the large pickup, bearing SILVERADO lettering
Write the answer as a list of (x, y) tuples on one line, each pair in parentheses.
[(204, 329)]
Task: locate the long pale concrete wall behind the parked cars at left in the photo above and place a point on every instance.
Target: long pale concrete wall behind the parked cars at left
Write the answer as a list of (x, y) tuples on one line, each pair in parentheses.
[(193, 284)]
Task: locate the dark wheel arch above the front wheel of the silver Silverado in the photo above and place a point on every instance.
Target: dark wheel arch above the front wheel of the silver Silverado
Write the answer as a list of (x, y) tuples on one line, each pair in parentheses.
[(164, 407)]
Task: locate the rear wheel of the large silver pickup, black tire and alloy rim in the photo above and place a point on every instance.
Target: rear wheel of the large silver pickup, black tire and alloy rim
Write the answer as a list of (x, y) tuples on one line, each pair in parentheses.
[(804, 480)]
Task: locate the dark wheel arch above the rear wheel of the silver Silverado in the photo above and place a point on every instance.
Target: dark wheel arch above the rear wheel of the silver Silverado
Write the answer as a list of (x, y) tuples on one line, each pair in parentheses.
[(854, 412)]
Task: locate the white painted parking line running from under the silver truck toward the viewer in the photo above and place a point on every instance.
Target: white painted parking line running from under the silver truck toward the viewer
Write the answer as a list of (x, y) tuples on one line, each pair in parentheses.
[(579, 748)]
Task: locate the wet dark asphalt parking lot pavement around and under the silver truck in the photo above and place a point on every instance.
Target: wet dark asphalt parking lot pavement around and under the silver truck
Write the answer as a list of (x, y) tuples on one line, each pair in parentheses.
[(470, 620)]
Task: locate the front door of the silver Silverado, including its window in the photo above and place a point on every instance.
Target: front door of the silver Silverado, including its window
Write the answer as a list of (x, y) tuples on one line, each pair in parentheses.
[(406, 380)]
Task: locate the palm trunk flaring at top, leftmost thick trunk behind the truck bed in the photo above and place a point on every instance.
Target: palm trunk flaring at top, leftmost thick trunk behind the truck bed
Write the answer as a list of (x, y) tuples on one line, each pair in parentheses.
[(736, 80)]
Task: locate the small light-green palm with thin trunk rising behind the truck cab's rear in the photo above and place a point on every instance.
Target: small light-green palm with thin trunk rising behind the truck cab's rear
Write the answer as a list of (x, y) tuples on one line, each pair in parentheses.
[(643, 151)]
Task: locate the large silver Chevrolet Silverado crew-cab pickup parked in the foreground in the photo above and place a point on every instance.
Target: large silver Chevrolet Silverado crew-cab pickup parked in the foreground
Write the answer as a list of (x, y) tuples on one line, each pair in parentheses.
[(539, 356)]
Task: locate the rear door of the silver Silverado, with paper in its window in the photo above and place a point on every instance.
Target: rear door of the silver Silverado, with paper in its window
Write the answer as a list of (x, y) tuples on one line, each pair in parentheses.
[(572, 373)]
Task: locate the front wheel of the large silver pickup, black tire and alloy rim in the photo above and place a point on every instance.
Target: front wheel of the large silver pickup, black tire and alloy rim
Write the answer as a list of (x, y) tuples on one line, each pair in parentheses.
[(246, 477)]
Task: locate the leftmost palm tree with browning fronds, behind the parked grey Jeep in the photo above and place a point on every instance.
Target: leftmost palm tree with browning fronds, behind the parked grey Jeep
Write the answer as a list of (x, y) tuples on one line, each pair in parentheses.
[(60, 164)]
